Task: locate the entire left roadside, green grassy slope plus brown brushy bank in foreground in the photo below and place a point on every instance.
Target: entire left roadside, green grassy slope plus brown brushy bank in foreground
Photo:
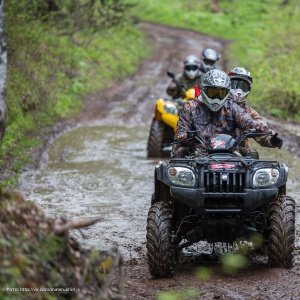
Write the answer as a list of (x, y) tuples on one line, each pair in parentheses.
[(58, 52)]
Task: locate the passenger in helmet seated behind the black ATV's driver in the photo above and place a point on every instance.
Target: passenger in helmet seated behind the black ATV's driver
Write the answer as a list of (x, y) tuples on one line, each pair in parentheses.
[(241, 83)]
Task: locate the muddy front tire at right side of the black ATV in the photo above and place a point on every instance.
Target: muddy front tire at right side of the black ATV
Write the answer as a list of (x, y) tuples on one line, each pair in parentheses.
[(282, 232)]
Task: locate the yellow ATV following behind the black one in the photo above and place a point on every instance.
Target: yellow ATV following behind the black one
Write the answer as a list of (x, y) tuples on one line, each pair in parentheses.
[(164, 123)]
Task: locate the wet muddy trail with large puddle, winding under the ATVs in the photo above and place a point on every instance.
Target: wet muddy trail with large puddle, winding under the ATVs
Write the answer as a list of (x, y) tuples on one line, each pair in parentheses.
[(95, 165)]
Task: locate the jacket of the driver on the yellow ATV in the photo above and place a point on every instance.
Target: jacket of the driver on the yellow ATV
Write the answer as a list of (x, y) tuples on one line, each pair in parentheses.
[(174, 90)]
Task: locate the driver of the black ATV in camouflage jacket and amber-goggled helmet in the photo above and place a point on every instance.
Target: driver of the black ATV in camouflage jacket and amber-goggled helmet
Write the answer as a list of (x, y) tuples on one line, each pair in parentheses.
[(212, 113)]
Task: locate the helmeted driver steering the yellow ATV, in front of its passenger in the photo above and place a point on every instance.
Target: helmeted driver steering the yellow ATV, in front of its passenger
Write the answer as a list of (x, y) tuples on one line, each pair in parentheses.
[(187, 79)]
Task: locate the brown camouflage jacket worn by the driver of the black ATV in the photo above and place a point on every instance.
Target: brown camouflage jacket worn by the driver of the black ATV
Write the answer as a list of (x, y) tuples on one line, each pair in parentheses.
[(195, 115)]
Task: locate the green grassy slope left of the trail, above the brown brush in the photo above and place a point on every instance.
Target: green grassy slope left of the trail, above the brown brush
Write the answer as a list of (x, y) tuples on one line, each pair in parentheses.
[(58, 52)]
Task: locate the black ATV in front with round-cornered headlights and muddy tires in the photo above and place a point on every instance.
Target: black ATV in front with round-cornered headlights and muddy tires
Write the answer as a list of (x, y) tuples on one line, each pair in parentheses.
[(219, 196)]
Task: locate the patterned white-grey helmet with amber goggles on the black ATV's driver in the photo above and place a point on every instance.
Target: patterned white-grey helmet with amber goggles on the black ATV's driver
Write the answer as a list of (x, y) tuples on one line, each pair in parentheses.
[(215, 88)]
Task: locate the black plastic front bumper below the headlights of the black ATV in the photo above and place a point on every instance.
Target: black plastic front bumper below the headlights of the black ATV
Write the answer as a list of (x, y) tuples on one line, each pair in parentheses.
[(223, 203)]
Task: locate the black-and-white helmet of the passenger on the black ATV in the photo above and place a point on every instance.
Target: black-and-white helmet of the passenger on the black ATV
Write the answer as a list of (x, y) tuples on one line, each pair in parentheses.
[(241, 83)]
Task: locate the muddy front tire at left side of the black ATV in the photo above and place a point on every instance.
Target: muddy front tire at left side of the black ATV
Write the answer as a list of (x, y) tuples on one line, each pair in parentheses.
[(161, 253)]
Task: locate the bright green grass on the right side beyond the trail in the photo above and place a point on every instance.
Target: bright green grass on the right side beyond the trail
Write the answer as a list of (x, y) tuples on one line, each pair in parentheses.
[(265, 36)]
